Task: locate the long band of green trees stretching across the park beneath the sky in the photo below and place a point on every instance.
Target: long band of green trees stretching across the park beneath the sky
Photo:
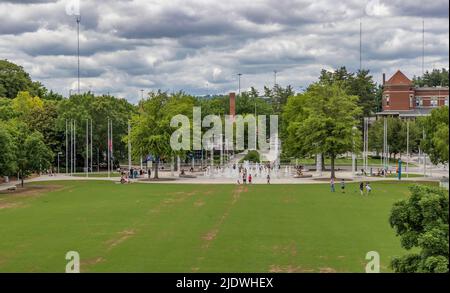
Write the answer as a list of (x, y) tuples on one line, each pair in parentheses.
[(326, 118)]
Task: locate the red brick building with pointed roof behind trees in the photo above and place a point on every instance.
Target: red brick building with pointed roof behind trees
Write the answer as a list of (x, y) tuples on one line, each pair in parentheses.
[(402, 99)]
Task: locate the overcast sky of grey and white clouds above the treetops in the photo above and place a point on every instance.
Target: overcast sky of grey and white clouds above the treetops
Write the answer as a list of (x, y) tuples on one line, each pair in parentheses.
[(199, 46)]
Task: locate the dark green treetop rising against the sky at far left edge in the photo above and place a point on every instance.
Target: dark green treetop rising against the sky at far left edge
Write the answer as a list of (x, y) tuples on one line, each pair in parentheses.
[(13, 79)]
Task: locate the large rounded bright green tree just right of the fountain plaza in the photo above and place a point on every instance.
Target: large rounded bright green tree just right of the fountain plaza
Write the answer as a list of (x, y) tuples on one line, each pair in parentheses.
[(327, 124)]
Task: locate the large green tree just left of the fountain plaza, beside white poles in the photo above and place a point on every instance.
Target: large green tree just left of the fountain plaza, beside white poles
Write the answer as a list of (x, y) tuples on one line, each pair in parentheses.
[(151, 130)]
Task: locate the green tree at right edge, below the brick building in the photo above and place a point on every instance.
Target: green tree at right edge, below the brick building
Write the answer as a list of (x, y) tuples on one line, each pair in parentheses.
[(436, 139)]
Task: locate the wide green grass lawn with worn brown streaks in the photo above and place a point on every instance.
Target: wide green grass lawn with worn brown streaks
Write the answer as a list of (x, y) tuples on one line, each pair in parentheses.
[(196, 228)]
